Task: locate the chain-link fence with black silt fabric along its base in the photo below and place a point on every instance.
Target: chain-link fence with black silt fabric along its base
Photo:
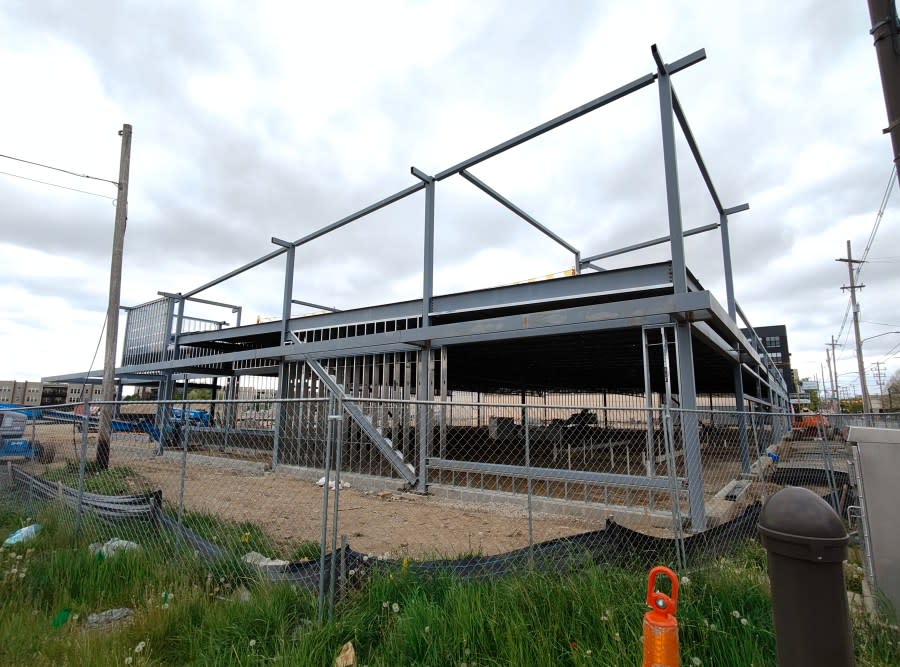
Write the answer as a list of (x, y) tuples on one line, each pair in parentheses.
[(315, 491)]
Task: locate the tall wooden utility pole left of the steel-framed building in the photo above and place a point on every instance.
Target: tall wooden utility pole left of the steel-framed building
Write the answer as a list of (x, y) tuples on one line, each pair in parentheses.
[(108, 391)]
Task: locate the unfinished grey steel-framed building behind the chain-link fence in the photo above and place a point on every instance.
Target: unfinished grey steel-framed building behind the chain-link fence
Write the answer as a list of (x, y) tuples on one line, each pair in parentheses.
[(600, 388)]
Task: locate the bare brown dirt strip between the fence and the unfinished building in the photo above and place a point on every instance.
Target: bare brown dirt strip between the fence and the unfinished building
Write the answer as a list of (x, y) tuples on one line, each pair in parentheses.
[(290, 508)]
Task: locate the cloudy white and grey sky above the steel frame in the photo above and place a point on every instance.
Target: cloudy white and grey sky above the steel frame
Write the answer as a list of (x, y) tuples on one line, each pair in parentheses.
[(277, 120)]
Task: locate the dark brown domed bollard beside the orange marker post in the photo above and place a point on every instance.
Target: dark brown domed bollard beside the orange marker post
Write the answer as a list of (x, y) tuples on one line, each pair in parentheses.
[(806, 545)]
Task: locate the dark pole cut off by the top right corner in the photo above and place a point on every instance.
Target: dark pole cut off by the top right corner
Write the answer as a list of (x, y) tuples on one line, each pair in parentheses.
[(886, 34)]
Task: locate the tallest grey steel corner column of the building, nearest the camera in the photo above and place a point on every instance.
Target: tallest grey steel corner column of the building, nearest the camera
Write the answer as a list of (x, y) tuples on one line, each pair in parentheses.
[(687, 390)]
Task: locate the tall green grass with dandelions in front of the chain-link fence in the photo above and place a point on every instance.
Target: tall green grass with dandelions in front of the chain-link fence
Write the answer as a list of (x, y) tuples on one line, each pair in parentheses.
[(191, 612)]
